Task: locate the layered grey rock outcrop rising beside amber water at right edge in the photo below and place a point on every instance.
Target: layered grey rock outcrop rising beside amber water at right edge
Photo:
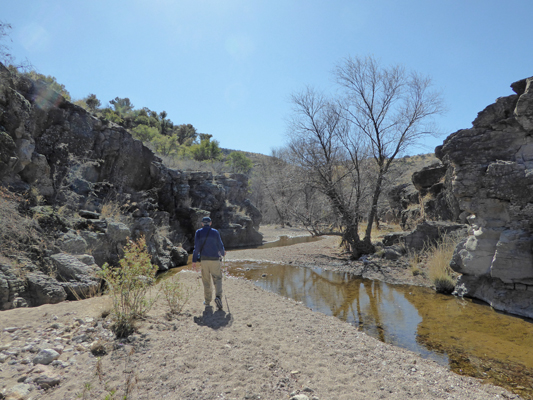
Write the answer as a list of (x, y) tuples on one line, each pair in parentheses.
[(490, 174)]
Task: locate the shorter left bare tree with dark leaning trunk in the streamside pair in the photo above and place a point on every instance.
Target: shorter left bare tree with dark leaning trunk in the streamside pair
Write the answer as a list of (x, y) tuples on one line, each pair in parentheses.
[(322, 143)]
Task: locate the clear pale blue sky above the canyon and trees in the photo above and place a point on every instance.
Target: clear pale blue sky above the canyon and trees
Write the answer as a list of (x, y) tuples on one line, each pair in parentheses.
[(229, 66)]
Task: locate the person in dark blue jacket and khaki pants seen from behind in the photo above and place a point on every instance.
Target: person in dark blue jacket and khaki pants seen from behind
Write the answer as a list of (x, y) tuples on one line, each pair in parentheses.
[(208, 249)]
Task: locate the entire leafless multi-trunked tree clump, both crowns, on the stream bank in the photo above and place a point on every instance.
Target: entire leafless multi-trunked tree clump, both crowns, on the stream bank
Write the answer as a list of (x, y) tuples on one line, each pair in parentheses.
[(381, 111)]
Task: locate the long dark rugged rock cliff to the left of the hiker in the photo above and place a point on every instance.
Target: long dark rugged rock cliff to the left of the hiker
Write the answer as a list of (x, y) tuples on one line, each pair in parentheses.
[(110, 186)]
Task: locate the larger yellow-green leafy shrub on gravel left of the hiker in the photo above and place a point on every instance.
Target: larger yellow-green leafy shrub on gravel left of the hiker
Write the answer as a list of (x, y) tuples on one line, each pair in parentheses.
[(129, 286)]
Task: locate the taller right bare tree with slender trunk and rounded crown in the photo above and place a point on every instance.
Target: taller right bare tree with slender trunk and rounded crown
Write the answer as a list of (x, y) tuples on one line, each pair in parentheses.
[(390, 109)]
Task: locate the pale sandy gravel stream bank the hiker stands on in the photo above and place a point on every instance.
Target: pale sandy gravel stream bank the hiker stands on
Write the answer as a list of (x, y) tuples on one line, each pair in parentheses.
[(262, 347)]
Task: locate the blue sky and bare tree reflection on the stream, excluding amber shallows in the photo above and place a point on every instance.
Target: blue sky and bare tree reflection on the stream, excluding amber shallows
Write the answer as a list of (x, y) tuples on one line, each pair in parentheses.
[(374, 307)]
